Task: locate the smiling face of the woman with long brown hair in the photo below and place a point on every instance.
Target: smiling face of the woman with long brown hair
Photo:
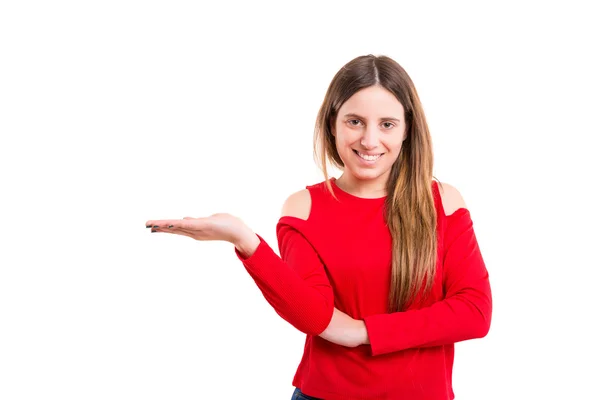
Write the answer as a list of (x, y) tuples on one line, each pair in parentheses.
[(369, 132)]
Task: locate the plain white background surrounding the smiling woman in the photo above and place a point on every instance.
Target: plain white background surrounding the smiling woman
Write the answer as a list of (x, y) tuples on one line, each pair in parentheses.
[(116, 112)]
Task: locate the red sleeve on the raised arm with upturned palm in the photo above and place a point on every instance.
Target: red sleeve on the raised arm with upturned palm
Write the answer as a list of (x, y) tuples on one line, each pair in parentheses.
[(295, 284)]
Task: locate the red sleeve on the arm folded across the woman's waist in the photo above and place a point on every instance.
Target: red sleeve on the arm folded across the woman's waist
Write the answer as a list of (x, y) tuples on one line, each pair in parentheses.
[(466, 311)]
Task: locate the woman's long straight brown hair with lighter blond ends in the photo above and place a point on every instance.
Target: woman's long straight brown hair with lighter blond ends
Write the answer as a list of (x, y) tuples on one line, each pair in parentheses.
[(410, 208)]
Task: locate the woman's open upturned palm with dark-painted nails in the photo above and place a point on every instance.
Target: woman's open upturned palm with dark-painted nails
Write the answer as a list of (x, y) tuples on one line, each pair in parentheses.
[(220, 226)]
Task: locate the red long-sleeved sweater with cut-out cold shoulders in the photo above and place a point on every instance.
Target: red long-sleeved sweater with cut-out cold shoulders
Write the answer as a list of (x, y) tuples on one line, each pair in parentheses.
[(341, 256)]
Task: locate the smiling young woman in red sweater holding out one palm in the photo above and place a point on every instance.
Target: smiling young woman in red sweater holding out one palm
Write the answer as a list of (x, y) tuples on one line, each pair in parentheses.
[(380, 267)]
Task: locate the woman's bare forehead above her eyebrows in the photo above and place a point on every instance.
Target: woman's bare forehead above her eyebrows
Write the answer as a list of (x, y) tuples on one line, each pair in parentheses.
[(373, 101)]
